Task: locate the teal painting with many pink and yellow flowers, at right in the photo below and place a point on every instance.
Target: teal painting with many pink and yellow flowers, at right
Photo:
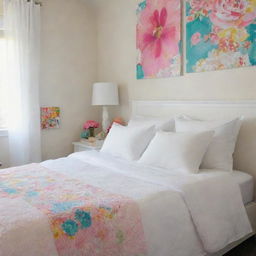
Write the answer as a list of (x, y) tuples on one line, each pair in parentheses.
[(221, 34)]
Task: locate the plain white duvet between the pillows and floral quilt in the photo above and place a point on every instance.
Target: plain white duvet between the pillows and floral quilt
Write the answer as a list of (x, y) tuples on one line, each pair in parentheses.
[(167, 202)]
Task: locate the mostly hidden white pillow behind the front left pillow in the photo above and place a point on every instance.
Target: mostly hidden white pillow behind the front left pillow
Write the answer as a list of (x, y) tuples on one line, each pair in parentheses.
[(163, 124)]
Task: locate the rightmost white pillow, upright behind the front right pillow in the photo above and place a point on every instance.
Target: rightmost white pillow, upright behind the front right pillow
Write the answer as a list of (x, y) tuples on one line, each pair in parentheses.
[(220, 152)]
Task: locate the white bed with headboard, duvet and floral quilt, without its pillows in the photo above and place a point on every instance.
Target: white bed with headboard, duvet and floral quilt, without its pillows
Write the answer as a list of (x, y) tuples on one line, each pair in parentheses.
[(91, 203)]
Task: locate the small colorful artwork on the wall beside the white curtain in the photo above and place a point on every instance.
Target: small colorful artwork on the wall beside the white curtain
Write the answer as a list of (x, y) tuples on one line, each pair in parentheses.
[(50, 117)]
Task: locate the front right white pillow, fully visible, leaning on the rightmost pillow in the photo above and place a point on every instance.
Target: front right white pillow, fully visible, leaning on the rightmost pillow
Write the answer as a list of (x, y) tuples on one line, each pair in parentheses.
[(179, 151)]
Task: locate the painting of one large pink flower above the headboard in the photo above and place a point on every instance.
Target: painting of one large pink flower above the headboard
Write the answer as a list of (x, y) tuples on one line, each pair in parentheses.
[(159, 39)]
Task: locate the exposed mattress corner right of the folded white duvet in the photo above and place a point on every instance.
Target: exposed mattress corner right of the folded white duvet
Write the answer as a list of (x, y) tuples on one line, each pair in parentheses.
[(246, 184)]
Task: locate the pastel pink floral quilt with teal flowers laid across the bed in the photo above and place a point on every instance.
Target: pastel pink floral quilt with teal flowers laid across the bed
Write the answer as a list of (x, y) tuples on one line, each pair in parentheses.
[(83, 219)]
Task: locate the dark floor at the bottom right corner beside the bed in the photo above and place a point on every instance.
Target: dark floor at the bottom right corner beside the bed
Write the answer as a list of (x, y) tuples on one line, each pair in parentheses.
[(247, 248)]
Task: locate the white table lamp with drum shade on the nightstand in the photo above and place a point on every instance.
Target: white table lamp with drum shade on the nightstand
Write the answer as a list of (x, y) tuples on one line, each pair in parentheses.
[(105, 94)]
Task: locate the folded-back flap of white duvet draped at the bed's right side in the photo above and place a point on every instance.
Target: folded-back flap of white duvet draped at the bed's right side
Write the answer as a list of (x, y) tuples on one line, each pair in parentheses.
[(215, 207)]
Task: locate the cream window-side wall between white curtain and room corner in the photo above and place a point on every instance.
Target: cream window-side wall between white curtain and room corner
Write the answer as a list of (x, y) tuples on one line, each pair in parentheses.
[(68, 70)]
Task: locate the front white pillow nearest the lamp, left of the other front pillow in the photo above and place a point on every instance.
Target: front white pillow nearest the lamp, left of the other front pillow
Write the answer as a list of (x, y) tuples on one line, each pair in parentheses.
[(127, 142)]
